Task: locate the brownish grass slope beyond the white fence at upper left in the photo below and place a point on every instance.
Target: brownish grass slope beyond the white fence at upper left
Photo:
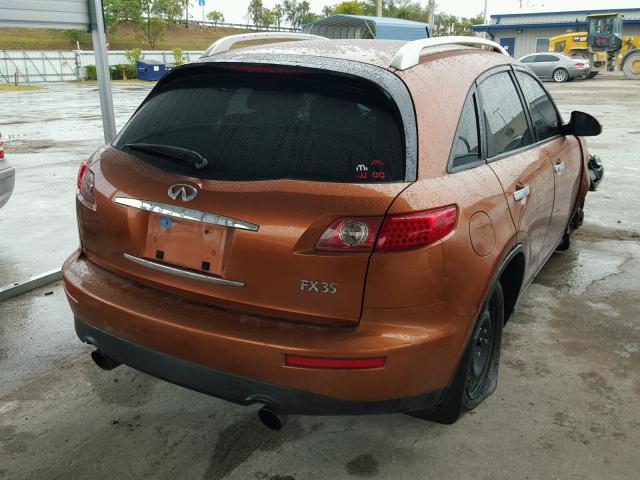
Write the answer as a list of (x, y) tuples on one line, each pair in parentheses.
[(123, 37)]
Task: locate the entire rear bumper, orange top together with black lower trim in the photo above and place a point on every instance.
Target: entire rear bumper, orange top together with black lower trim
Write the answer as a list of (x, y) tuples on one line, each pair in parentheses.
[(240, 357)]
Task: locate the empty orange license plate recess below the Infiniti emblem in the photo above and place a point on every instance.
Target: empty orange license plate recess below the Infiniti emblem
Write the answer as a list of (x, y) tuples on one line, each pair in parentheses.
[(194, 245)]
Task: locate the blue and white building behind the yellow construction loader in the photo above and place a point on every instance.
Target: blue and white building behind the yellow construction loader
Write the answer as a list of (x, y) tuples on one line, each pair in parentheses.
[(528, 30)]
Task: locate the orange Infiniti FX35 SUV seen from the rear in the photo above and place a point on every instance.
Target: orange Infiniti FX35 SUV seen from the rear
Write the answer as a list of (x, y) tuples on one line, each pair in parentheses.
[(326, 227)]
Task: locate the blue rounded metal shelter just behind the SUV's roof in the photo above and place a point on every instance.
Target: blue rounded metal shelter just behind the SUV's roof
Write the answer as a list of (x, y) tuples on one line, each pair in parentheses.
[(361, 26)]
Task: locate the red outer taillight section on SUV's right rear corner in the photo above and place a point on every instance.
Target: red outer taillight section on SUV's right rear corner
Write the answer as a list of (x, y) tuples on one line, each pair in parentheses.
[(413, 230)]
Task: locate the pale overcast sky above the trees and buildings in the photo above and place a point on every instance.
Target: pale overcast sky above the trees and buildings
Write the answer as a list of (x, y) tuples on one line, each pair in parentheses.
[(235, 10)]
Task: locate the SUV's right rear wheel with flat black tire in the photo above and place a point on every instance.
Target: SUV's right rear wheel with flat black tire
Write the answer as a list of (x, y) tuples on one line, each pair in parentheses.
[(477, 375)]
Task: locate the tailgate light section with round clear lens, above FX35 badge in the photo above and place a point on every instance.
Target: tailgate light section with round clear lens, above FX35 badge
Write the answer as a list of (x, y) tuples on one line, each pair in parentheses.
[(350, 235)]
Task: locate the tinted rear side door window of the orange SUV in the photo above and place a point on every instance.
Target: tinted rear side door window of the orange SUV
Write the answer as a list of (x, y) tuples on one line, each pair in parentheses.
[(505, 120)]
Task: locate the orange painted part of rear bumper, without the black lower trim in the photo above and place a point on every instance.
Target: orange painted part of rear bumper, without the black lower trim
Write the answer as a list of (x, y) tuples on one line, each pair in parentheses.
[(253, 346)]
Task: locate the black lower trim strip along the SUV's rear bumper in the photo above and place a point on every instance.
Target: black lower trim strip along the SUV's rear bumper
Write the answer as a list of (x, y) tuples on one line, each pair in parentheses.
[(236, 389)]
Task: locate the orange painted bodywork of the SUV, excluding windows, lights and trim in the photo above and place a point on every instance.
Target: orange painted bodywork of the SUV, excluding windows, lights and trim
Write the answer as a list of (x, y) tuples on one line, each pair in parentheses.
[(416, 307)]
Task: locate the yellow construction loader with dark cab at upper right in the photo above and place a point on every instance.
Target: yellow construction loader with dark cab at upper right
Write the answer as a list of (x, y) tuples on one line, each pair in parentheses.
[(603, 45)]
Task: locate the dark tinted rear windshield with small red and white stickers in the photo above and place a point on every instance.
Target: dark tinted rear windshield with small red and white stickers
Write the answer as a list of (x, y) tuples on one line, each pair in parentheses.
[(257, 126)]
